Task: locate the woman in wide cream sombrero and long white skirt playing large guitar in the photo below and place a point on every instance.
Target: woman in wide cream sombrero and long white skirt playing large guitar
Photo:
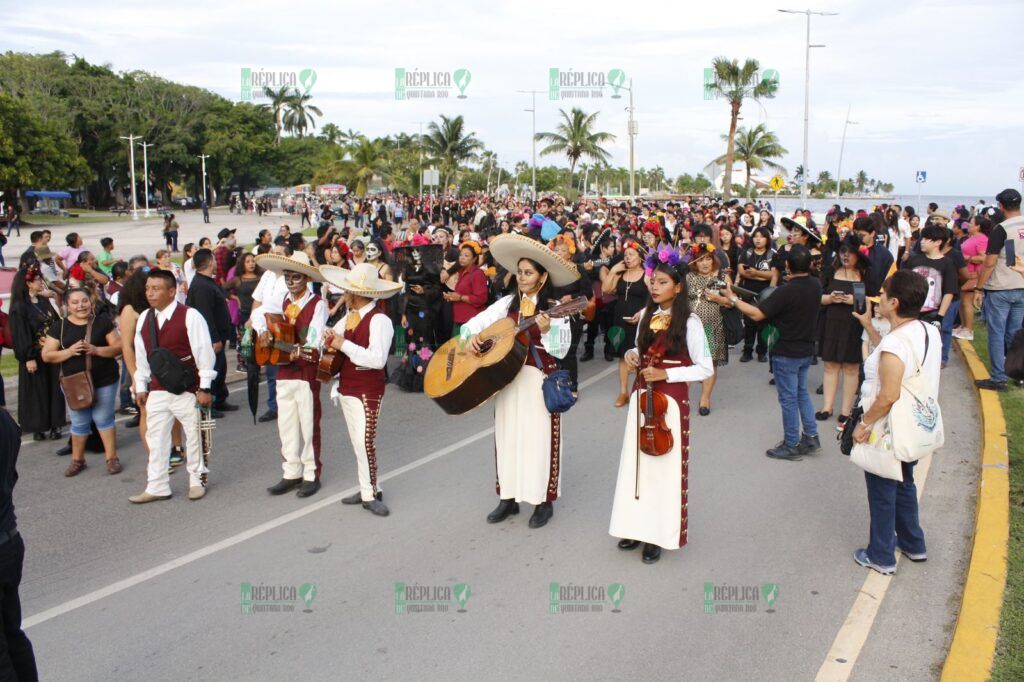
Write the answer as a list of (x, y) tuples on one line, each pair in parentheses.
[(528, 438)]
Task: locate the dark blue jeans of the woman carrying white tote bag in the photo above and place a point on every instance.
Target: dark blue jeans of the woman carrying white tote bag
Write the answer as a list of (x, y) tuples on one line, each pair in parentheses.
[(893, 506)]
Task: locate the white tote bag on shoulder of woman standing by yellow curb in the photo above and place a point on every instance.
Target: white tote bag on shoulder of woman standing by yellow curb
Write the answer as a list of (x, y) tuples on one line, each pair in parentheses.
[(916, 419)]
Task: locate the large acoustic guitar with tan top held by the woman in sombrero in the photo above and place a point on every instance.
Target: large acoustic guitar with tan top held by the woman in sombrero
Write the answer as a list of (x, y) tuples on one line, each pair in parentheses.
[(459, 380)]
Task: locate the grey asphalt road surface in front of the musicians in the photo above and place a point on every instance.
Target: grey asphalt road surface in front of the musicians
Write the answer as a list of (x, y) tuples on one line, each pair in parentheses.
[(172, 574)]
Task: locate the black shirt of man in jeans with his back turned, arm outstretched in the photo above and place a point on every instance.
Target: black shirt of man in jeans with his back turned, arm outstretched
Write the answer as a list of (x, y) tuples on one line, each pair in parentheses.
[(793, 309)]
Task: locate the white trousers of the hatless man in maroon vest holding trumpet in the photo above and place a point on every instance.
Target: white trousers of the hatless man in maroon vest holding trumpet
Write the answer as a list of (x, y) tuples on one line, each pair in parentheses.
[(161, 411)]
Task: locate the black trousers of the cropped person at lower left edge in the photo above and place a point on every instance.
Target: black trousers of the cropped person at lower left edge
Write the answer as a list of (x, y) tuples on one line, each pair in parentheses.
[(17, 659)]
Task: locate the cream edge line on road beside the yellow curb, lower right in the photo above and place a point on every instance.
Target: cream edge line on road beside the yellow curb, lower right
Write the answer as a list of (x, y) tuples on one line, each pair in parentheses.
[(850, 641)]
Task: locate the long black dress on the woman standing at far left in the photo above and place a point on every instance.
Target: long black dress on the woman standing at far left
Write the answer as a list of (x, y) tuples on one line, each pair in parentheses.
[(40, 403)]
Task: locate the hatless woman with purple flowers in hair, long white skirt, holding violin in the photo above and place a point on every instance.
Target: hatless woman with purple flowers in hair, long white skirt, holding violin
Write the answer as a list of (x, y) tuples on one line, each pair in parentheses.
[(651, 502)]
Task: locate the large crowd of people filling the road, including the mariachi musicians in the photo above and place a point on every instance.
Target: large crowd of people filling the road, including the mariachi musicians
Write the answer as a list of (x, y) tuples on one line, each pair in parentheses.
[(673, 290)]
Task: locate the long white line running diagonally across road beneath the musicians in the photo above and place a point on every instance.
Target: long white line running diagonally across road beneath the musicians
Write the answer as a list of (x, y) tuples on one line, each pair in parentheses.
[(259, 530)]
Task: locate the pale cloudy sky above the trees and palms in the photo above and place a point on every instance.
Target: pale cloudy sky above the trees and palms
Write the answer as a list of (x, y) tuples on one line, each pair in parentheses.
[(931, 86)]
